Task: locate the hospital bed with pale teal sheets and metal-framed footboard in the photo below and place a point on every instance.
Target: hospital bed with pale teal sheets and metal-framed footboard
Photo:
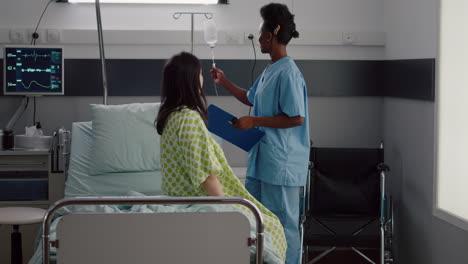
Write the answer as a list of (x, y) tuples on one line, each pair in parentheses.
[(122, 218)]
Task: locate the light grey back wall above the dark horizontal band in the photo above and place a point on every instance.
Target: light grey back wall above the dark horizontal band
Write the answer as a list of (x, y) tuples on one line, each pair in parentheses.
[(318, 21)]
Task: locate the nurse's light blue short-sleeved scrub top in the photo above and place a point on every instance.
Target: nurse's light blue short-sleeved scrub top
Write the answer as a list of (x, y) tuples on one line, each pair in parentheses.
[(282, 156)]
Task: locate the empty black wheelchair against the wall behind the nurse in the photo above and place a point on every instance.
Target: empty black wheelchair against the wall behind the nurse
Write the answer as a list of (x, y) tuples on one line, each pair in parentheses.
[(346, 185)]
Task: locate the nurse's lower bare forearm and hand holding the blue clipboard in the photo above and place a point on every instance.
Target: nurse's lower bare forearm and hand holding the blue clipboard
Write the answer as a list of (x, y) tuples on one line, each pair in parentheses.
[(279, 121)]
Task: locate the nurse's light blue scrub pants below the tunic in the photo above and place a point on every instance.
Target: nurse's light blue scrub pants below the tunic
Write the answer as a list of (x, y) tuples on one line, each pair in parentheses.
[(283, 201)]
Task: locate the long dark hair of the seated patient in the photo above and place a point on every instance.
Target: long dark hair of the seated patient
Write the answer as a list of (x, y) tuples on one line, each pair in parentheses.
[(180, 87)]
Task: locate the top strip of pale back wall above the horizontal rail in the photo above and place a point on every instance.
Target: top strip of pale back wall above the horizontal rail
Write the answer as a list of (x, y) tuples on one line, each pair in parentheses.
[(238, 14)]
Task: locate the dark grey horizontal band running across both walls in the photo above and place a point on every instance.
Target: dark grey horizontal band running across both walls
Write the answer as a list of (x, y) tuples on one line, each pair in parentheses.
[(142, 77)]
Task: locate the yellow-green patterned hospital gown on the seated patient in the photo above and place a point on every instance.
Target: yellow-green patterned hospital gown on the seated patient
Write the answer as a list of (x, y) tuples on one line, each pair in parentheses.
[(189, 154)]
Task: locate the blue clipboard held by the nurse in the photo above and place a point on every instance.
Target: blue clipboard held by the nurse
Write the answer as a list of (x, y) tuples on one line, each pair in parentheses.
[(219, 123)]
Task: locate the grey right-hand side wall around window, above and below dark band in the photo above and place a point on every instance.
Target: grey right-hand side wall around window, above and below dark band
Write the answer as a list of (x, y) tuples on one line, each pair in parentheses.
[(411, 29)]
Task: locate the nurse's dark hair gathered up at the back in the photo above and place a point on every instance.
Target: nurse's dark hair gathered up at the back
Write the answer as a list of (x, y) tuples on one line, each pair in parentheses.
[(275, 14)]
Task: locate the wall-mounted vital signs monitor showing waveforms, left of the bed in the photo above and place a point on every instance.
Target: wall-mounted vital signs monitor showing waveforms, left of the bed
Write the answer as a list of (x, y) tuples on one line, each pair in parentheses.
[(33, 70)]
